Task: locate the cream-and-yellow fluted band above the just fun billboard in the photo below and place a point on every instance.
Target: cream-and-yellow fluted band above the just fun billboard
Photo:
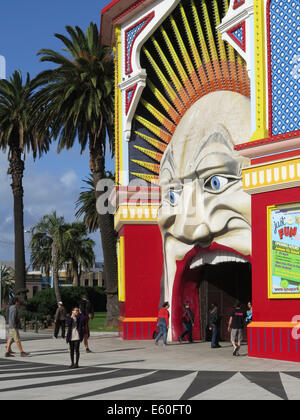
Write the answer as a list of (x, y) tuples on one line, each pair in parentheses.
[(285, 173)]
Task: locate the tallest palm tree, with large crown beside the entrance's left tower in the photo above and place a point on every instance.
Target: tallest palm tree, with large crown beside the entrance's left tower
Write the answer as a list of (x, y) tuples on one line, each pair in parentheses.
[(78, 100)]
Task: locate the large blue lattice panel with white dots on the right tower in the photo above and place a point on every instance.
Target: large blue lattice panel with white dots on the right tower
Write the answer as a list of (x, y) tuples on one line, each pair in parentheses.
[(285, 65)]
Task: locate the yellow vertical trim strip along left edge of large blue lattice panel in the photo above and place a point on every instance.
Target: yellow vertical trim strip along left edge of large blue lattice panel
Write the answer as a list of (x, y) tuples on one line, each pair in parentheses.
[(261, 131)]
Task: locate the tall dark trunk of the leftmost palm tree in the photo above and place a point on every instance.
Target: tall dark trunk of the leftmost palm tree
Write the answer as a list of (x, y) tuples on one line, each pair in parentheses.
[(16, 169)]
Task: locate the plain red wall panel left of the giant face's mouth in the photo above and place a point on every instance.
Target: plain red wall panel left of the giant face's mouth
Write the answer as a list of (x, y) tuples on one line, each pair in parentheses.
[(143, 270)]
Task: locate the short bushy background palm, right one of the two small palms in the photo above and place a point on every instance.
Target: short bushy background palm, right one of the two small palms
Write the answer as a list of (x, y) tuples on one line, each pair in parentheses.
[(78, 249)]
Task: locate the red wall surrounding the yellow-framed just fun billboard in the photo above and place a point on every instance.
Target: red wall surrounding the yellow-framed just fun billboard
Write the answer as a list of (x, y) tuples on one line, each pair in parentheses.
[(265, 309)]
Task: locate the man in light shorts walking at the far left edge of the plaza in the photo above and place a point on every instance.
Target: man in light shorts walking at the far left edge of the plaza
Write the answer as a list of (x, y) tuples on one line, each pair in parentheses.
[(14, 325)]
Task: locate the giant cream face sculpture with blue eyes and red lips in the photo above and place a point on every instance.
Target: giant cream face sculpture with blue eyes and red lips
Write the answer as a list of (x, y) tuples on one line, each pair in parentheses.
[(205, 214)]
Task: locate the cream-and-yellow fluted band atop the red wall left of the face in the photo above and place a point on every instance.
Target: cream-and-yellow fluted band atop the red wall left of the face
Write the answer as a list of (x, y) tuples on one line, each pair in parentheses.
[(133, 214)]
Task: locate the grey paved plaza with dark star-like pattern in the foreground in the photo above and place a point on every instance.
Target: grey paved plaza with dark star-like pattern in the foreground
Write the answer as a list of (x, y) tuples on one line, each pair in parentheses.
[(120, 370)]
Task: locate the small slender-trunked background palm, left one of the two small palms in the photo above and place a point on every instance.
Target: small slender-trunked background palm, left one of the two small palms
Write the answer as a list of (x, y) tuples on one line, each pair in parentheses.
[(51, 228)]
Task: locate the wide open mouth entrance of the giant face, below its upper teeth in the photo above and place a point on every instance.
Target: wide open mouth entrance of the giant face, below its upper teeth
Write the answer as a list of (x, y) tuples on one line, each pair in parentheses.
[(202, 283)]
